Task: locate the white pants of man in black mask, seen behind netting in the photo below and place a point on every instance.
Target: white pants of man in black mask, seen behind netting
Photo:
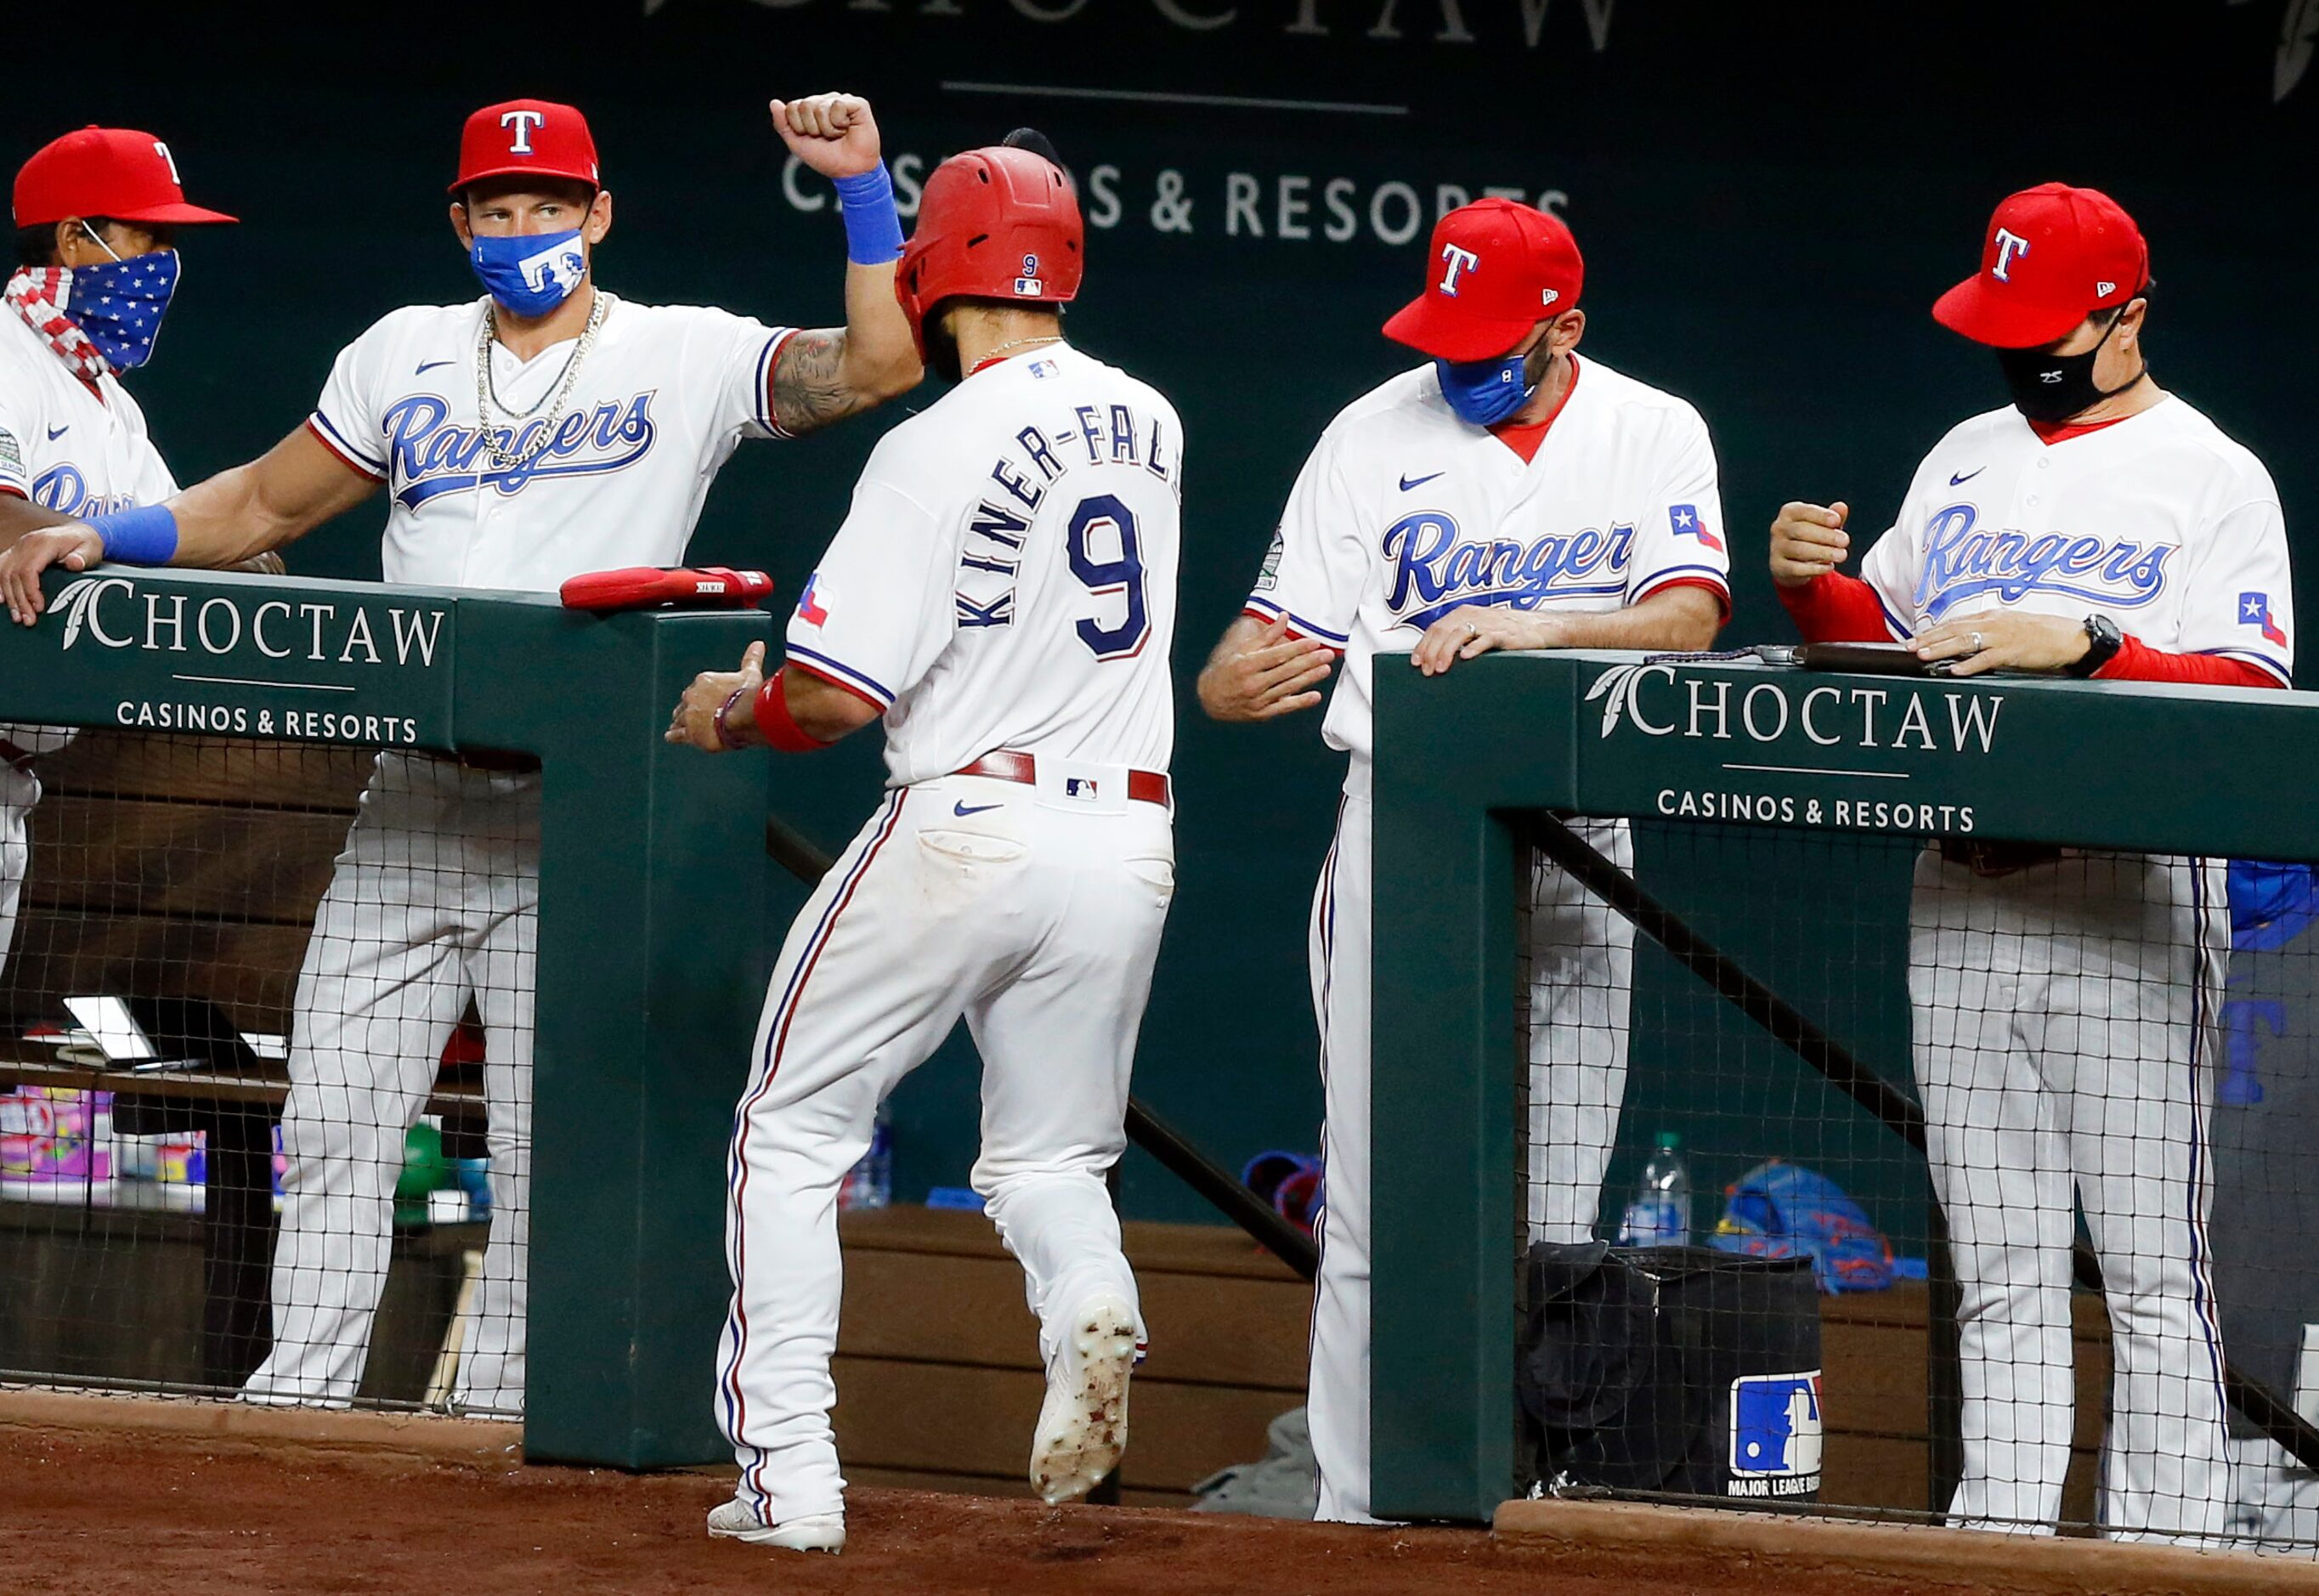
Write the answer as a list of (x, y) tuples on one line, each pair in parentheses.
[(2067, 1026)]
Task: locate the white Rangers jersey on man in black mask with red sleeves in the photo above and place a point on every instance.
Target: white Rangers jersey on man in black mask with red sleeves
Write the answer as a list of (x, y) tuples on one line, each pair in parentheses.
[(2160, 523)]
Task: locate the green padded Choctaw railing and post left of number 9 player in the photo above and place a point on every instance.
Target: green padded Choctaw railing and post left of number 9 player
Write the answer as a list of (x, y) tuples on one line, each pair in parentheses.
[(653, 913)]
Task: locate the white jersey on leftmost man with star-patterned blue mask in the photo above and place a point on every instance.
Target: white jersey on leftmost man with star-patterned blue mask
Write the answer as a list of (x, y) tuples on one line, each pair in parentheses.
[(64, 447)]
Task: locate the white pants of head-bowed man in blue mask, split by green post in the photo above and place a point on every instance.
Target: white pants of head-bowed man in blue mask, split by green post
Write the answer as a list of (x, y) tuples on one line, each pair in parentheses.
[(1583, 962)]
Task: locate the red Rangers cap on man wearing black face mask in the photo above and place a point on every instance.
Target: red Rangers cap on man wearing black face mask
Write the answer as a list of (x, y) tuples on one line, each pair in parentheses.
[(2053, 256)]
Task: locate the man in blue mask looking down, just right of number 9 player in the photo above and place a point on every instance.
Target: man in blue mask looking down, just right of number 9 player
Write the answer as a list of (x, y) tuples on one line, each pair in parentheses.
[(1506, 495)]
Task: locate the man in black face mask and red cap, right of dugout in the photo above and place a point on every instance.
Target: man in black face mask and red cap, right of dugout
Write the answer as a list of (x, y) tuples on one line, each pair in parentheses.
[(2067, 1001)]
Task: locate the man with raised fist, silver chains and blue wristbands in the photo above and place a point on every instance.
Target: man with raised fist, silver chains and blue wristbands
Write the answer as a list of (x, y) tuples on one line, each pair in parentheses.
[(544, 430)]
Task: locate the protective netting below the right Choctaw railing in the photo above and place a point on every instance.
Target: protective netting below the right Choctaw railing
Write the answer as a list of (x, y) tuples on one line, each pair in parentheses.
[(1998, 1161)]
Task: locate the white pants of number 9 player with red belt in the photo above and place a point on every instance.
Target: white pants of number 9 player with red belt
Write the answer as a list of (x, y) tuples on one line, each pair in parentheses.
[(1038, 920)]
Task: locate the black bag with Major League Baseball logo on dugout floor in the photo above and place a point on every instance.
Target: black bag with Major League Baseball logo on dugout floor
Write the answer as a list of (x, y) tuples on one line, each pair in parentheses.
[(1671, 1370)]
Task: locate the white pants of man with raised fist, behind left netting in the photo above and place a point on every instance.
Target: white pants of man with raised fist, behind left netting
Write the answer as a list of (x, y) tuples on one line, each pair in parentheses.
[(432, 904)]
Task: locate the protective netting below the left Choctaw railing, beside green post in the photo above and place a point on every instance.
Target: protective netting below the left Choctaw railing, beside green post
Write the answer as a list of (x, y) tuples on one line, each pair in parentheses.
[(266, 1068)]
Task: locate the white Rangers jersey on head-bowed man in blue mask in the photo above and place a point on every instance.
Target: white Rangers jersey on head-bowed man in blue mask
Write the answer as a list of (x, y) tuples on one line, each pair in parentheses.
[(1404, 514)]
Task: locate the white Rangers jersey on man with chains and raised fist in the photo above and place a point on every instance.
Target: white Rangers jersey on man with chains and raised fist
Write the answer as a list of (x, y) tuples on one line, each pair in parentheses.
[(657, 407)]
